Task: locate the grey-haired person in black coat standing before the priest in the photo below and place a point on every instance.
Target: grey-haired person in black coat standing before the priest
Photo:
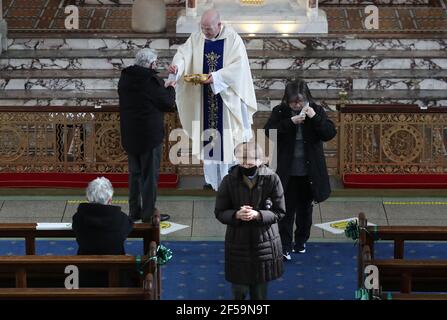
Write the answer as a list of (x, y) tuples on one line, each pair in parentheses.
[(144, 98)]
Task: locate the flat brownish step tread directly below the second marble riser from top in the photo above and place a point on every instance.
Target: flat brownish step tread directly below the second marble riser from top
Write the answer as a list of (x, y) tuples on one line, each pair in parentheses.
[(257, 74)]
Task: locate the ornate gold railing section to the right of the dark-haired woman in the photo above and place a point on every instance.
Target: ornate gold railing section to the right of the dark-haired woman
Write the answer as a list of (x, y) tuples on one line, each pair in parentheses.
[(393, 140)]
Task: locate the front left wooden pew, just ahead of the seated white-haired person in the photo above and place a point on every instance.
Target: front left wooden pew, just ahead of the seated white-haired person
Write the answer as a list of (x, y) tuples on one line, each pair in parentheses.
[(147, 231)]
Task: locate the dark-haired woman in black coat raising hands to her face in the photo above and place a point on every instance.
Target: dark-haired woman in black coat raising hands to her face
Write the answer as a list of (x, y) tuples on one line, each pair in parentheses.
[(302, 127)]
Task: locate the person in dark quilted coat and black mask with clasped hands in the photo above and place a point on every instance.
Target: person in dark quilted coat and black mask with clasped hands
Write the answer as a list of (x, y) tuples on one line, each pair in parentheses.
[(250, 201)]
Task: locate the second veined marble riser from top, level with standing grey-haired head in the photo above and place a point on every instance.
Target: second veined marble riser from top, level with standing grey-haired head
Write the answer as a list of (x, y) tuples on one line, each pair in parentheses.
[(266, 63)]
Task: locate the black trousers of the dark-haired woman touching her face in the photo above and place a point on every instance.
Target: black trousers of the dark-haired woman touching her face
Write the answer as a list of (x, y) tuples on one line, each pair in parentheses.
[(299, 207)]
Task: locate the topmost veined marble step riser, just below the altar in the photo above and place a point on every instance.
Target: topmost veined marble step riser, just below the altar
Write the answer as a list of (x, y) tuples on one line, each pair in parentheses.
[(25, 42)]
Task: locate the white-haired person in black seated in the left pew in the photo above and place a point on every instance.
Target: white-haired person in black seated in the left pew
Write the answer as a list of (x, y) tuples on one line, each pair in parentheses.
[(100, 229)]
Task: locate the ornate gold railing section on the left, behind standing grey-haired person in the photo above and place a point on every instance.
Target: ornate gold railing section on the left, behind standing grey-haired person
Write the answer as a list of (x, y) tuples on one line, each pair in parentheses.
[(66, 139)]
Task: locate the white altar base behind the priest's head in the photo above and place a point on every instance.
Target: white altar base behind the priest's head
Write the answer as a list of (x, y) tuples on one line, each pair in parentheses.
[(258, 16)]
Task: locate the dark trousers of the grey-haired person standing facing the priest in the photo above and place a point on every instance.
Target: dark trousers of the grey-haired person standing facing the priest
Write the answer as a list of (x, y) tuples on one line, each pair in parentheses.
[(143, 178)]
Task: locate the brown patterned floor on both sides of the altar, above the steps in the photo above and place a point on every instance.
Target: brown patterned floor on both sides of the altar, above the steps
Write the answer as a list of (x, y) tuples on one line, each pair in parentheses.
[(49, 16)]
